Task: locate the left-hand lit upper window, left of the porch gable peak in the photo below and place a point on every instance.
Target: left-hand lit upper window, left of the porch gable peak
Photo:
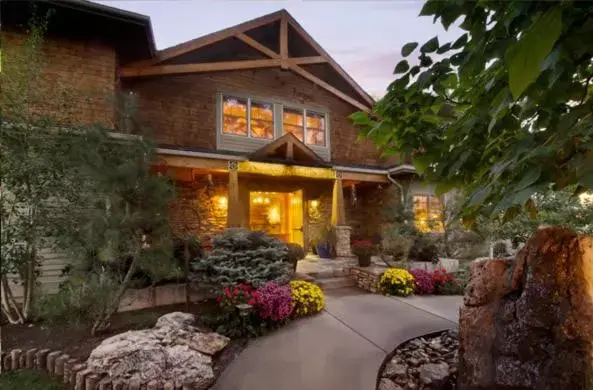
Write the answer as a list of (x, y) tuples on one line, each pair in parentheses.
[(247, 117)]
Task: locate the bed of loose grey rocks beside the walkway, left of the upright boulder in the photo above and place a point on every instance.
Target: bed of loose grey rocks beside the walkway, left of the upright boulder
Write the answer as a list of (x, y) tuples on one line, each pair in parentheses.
[(422, 363)]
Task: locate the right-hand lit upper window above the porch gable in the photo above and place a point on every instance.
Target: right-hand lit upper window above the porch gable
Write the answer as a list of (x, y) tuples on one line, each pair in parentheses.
[(308, 126)]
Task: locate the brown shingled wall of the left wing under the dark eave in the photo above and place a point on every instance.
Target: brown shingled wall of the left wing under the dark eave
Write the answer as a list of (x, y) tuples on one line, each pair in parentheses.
[(76, 83)]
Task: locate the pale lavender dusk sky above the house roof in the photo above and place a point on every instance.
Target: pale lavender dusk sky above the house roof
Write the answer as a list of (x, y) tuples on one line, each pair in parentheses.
[(364, 37)]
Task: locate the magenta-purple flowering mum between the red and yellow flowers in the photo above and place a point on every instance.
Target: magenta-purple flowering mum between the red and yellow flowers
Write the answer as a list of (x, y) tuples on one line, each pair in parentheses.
[(274, 302)]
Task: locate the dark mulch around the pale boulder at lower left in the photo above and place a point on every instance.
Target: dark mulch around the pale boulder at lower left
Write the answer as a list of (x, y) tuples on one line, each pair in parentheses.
[(76, 340)]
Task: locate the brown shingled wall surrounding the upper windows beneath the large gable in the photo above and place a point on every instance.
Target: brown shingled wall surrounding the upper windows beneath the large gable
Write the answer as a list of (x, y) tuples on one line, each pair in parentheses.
[(181, 110)]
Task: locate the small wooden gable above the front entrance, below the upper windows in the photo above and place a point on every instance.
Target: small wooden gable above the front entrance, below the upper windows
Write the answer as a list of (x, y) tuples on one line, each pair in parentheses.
[(288, 148)]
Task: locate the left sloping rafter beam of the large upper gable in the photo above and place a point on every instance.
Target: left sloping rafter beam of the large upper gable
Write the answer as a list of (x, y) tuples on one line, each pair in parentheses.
[(194, 44)]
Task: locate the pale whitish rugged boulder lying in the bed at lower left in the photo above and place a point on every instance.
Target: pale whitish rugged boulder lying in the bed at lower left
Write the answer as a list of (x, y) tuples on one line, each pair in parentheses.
[(174, 350)]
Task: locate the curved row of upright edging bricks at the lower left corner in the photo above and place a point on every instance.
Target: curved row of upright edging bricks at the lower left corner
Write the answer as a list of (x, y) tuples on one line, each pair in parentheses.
[(70, 371)]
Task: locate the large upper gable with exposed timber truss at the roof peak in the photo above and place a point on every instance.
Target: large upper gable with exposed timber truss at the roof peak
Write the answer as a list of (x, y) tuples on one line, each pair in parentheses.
[(273, 40)]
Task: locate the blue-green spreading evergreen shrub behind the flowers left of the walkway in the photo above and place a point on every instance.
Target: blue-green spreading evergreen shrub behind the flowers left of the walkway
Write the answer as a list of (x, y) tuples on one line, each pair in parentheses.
[(241, 256)]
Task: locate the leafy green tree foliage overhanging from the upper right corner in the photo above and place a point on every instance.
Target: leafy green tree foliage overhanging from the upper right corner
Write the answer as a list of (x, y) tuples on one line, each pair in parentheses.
[(504, 112)]
